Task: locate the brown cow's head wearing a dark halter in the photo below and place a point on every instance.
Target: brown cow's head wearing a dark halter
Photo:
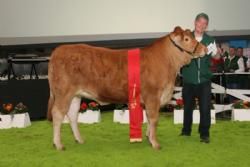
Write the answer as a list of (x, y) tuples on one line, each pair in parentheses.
[(185, 42)]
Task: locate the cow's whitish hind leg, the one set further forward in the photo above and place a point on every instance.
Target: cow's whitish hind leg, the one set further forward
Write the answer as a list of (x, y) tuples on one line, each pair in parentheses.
[(73, 116)]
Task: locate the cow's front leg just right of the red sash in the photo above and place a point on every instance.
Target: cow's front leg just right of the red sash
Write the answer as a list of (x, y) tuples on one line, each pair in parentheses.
[(152, 109)]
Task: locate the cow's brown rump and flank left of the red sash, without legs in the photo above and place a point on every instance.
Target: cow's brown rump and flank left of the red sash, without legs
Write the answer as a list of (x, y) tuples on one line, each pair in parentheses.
[(100, 72)]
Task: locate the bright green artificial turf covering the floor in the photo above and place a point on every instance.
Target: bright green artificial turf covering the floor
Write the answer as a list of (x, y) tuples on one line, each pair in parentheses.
[(107, 144)]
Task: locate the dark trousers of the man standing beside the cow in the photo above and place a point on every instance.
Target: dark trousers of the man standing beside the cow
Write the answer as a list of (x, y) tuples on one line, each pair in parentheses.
[(203, 93)]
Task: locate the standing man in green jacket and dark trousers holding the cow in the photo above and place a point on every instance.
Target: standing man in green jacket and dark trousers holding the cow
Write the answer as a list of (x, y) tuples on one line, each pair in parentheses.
[(197, 82)]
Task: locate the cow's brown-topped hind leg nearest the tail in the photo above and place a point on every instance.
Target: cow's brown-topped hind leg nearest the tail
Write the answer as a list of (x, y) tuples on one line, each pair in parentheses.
[(59, 111)]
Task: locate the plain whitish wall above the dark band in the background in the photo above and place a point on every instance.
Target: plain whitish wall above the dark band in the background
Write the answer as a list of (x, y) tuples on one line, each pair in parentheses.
[(34, 18)]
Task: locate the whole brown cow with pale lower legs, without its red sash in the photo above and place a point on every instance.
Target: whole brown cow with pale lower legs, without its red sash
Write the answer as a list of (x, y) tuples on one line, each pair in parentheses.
[(100, 74)]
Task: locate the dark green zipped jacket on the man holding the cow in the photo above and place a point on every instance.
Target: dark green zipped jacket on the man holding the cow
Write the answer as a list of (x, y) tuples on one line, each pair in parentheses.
[(198, 71)]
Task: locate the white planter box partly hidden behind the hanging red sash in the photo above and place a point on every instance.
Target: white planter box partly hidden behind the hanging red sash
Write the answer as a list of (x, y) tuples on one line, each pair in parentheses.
[(121, 114)]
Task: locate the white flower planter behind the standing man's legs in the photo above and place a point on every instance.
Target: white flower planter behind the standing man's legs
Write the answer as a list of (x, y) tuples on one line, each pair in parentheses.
[(179, 113)]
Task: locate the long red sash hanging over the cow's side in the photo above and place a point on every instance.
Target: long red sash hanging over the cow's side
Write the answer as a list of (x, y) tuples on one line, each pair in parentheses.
[(135, 110)]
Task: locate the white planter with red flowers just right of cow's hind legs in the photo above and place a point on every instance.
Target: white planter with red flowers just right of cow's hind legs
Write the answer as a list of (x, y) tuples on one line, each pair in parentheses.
[(89, 113)]
